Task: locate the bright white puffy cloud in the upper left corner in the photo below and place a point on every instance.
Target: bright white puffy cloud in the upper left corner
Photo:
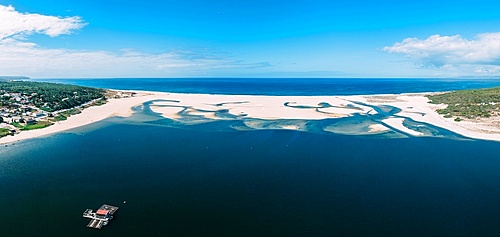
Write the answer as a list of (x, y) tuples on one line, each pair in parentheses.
[(14, 23)]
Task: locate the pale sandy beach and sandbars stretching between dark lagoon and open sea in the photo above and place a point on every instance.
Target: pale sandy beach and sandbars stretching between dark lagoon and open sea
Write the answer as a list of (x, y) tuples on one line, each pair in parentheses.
[(169, 105)]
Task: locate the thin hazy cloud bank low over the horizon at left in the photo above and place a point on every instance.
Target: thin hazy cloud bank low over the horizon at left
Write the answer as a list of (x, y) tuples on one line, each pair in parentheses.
[(25, 58)]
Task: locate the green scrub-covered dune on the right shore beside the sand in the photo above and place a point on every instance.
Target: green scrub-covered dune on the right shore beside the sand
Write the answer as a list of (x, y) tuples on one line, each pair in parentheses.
[(469, 103)]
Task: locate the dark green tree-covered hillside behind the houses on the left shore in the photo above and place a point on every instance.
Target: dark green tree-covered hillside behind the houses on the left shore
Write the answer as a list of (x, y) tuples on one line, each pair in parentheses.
[(48, 96)]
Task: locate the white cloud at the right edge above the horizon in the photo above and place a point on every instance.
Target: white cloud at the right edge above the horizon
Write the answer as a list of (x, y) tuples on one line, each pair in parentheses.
[(479, 55)]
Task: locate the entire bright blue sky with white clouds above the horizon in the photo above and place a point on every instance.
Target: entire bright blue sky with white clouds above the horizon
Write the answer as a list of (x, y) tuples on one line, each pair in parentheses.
[(258, 38)]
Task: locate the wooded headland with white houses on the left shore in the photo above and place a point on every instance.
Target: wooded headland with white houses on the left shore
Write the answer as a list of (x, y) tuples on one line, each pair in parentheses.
[(28, 105)]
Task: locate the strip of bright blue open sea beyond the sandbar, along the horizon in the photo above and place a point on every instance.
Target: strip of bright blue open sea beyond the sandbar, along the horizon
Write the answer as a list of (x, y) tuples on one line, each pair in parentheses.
[(285, 86)]
